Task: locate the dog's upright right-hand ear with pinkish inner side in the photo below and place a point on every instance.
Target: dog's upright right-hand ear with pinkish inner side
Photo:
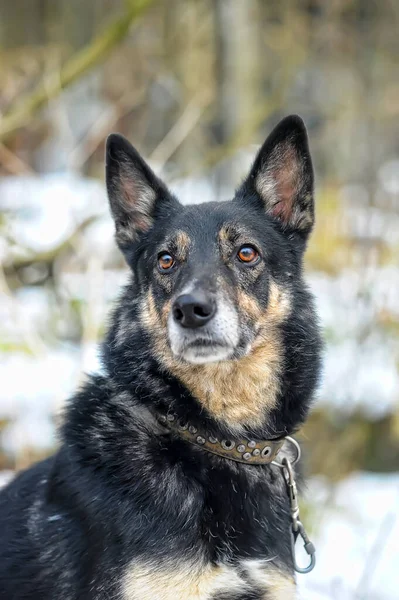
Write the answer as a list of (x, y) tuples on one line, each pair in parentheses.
[(282, 177)]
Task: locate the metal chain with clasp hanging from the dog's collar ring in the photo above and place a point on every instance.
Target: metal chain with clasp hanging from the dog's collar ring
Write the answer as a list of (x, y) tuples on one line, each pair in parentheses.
[(297, 528)]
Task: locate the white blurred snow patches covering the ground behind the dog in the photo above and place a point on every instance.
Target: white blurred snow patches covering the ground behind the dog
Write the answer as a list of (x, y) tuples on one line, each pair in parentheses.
[(357, 528)]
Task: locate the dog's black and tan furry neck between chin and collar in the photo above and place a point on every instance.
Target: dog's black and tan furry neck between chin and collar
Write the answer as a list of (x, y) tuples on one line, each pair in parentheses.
[(247, 396)]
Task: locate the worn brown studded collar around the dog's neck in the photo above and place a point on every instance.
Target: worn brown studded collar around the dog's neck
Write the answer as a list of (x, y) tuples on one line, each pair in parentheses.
[(247, 451)]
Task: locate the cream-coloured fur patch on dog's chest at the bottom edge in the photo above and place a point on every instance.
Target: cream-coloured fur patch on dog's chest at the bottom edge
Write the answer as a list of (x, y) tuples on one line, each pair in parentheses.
[(250, 579)]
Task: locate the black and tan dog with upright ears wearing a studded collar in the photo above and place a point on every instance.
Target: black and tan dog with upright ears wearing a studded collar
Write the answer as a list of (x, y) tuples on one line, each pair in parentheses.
[(158, 490)]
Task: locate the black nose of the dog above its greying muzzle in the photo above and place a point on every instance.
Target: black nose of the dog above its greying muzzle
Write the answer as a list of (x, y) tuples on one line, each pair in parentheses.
[(193, 310)]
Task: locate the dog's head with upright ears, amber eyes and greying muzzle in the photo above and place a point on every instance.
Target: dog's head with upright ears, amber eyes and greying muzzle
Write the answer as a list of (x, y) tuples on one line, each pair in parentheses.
[(215, 281)]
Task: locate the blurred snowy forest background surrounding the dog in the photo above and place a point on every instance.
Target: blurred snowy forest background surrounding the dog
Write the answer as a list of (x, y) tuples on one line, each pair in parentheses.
[(196, 85)]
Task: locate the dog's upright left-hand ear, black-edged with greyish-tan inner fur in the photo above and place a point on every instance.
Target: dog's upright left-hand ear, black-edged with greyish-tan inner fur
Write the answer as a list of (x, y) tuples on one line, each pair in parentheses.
[(135, 193)]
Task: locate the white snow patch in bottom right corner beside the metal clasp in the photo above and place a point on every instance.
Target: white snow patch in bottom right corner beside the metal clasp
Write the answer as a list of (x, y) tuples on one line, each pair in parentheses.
[(357, 539)]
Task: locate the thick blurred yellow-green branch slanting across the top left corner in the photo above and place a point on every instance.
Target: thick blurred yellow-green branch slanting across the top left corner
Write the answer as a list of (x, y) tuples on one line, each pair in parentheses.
[(76, 66)]
